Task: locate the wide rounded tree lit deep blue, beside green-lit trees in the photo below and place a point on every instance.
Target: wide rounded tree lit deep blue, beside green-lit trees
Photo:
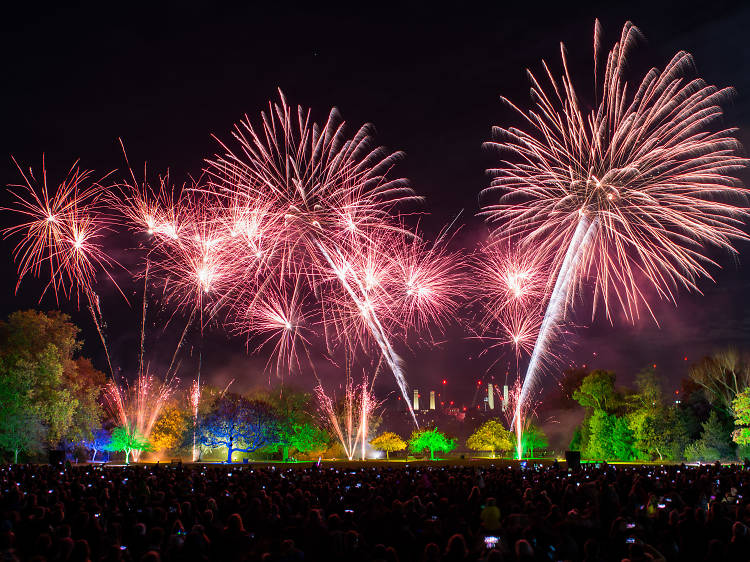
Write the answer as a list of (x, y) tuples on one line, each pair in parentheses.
[(238, 424)]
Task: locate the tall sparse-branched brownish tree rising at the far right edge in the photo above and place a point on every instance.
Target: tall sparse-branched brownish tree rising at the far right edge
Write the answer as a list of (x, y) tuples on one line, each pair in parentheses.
[(722, 376)]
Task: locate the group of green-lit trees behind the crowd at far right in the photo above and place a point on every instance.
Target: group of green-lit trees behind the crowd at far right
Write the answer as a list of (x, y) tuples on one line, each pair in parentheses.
[(706, 420)]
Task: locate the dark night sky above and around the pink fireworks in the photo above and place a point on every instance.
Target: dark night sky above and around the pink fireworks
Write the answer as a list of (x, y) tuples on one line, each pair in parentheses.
[(78, 77)]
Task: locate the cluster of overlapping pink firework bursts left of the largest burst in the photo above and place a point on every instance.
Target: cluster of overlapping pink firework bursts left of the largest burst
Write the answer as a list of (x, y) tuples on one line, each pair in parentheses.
[(292, 238)]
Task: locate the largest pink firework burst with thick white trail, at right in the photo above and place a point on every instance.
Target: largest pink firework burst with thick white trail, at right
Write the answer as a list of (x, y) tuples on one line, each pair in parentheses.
[(629, 195)]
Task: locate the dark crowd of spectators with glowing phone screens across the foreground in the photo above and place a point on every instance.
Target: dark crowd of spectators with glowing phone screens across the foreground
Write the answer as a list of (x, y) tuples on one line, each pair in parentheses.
[(383, 513)]
